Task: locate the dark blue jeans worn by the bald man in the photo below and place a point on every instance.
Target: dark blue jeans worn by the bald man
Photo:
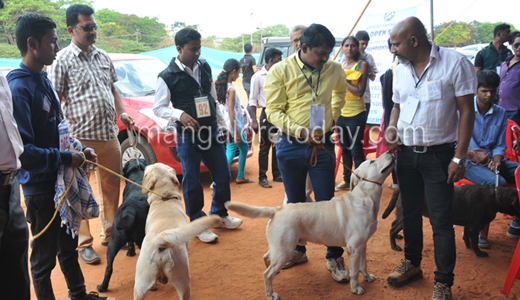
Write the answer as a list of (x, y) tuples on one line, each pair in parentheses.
[(420, 174)]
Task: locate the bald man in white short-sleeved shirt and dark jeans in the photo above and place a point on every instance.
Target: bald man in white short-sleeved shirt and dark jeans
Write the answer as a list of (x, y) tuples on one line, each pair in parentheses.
[(432, 87)]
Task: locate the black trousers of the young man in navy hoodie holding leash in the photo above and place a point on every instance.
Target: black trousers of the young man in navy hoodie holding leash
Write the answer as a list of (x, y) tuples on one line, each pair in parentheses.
[(55, 241)]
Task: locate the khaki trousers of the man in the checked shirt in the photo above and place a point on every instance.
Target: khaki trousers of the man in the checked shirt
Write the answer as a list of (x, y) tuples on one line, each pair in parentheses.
[(109, 155)]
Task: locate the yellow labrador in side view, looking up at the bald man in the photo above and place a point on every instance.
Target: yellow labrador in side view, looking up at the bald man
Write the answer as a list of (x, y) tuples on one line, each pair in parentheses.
[(346, 221)]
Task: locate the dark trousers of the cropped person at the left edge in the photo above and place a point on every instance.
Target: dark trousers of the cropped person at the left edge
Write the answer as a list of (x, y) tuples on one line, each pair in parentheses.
[(14, 236)]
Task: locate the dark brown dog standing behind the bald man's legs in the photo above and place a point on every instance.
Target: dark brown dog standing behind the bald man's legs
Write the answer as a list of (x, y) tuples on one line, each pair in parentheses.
[(474, 206)]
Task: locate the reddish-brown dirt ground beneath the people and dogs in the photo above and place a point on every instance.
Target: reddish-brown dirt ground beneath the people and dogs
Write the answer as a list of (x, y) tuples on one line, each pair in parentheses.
[(232, 267)]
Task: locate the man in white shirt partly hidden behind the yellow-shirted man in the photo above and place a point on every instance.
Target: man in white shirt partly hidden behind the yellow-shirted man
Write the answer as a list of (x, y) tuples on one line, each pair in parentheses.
[(267, 130)]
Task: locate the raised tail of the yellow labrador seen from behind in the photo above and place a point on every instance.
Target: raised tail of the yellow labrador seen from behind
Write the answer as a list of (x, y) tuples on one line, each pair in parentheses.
[(182, 235)]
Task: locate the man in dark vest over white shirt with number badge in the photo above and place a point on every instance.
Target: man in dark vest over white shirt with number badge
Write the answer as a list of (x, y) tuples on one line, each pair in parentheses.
[(188, 85)]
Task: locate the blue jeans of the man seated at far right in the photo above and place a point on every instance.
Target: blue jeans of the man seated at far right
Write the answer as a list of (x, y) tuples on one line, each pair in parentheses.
[(484, 176)]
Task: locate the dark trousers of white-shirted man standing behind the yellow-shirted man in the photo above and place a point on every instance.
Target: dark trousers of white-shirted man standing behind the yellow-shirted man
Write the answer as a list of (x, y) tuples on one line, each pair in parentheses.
[(267, 130)]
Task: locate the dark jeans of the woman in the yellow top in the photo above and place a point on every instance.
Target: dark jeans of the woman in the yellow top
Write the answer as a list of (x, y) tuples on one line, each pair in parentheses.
[(351, 131)]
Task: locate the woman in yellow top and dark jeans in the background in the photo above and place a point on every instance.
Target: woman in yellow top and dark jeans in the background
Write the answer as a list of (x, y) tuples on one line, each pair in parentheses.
[(351, 123)]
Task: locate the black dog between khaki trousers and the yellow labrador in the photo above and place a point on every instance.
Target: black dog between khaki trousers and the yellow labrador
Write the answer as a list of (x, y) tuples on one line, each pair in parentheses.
[(130, 220)]
